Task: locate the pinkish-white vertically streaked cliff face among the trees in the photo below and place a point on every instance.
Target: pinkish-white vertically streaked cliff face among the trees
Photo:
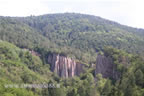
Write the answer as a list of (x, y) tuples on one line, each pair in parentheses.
[(64, 66)]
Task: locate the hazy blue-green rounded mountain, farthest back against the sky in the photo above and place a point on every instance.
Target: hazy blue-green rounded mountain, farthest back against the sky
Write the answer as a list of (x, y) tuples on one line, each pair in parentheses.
[(86, 32)]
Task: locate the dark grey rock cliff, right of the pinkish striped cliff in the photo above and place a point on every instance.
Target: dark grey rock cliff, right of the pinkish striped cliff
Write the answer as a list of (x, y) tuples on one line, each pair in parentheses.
[(106, 67)]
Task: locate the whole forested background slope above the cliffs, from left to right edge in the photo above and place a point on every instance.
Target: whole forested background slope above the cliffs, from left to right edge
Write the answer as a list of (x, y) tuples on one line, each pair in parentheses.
[(75, 35)]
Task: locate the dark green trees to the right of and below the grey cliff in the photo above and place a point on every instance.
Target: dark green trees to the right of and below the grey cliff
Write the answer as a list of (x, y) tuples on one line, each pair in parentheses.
[(130, 82)]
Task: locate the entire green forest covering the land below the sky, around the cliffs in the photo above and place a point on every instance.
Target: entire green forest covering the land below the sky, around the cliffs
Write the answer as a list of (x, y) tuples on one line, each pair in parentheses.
[(26, 44)]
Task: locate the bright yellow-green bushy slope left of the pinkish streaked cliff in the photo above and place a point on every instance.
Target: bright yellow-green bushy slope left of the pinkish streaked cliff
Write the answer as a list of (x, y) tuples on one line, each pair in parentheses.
[(19, 66)]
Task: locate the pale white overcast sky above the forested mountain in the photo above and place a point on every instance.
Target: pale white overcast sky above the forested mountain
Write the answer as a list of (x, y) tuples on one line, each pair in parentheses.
[(126, 12)]
